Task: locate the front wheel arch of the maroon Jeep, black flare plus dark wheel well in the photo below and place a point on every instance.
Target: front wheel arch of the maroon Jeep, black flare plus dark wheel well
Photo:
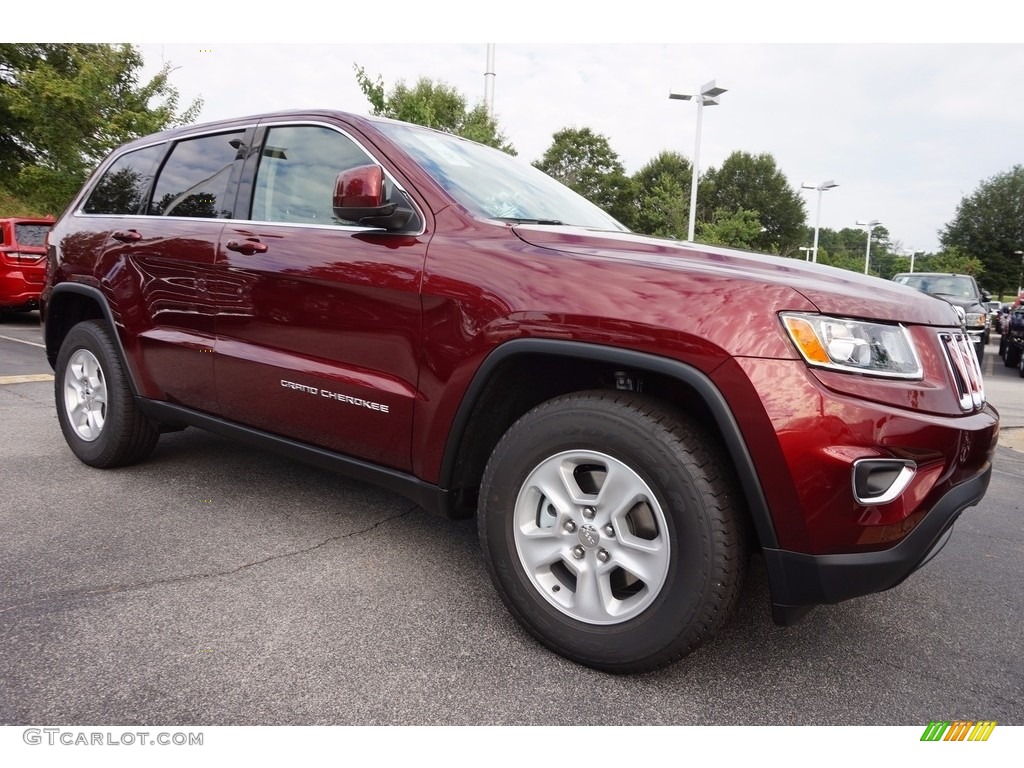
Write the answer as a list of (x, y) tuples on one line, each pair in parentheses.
[(506, 387)]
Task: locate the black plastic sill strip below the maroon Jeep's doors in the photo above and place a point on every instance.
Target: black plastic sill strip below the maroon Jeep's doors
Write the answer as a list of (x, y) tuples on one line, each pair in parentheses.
[(430, 497)]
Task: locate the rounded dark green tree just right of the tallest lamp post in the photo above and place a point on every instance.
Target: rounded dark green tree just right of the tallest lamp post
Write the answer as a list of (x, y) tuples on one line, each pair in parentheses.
[(754, 183)]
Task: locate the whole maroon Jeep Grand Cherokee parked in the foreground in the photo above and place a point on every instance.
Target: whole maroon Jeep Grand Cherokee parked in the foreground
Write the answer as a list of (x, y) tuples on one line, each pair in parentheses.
[(436, 316)]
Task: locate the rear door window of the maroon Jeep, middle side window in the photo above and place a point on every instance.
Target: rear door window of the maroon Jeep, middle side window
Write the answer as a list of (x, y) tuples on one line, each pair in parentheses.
[(194, 181)]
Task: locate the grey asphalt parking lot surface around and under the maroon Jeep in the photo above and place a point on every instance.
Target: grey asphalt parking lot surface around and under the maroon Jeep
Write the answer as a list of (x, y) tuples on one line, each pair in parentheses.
[(218, 585)]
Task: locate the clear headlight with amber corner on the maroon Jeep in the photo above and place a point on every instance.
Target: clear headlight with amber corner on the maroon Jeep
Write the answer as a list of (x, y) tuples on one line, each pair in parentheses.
[(856, 347)]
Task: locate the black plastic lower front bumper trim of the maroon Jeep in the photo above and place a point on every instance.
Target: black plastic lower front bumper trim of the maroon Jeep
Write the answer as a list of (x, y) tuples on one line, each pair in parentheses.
[(800, 581)]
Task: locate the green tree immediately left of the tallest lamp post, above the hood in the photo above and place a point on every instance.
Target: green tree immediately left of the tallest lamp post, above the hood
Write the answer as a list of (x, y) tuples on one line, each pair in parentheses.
[(661, 204)]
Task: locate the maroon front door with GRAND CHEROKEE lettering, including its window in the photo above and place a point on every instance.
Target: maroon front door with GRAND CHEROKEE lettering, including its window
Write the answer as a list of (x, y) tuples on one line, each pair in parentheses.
[(318, 320)]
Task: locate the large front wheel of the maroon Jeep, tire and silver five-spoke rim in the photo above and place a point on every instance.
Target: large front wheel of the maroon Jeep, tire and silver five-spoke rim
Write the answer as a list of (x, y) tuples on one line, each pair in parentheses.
[(681, 509)]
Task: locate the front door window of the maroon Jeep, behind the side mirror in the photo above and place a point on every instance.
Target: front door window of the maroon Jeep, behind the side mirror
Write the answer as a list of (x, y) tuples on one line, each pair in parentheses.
[(297, 169)]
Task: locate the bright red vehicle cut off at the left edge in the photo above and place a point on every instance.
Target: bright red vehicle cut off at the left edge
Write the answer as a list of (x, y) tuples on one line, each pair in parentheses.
[(23, 263)]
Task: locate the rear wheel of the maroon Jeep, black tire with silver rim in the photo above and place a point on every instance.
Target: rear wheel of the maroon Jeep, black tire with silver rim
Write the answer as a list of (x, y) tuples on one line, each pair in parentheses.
[(98, 413)]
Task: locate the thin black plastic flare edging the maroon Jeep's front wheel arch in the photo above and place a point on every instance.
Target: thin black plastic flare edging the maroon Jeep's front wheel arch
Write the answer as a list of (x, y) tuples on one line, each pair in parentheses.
[(632, 360)]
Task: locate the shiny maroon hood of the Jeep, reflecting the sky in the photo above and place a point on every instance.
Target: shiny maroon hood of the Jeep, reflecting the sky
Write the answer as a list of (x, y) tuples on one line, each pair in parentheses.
[(833, 291)]
